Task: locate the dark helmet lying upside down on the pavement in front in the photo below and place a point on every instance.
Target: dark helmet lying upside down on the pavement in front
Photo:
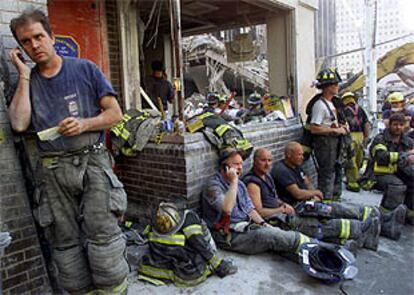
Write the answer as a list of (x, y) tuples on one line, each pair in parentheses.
[(329, 263)]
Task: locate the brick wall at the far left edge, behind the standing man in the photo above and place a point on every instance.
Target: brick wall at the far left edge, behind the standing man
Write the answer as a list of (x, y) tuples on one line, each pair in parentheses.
[(22, 268)]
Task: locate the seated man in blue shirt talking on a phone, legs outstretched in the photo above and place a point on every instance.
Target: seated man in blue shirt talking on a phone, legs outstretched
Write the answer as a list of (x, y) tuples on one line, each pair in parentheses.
[(230, 214)]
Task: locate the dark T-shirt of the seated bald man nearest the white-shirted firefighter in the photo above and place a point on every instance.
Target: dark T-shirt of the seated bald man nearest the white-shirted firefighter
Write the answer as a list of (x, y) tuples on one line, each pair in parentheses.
[(284, 176)]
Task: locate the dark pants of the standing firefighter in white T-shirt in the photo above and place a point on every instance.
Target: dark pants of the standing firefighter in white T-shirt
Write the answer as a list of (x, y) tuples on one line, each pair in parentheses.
[(329, 171)]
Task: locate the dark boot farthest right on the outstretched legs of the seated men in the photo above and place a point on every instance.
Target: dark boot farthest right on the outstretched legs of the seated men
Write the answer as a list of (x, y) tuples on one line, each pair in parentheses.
[(392, 223)]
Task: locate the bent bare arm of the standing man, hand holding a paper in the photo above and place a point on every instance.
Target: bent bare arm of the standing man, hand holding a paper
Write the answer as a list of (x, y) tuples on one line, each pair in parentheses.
[(111, 114)]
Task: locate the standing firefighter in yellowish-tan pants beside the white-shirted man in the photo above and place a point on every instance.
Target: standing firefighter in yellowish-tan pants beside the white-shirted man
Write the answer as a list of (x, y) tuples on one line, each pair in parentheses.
[(359, 127)]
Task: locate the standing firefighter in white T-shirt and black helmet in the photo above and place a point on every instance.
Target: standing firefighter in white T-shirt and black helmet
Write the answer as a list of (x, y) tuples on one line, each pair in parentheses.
[(326, 134)]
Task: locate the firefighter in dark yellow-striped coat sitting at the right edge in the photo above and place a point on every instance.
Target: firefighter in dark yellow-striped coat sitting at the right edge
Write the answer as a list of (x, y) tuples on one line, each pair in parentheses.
[(391, 167)]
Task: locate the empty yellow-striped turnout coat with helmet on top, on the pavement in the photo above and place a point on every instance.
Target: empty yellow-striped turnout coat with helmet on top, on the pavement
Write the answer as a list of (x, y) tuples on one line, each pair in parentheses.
[(181, 249)]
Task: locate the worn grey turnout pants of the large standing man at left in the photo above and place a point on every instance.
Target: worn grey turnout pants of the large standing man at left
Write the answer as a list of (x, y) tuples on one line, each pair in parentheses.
[(79, 202)]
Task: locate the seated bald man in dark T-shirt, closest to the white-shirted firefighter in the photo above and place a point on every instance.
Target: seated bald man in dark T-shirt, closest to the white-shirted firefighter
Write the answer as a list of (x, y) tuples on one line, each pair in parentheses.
[(295, 188)]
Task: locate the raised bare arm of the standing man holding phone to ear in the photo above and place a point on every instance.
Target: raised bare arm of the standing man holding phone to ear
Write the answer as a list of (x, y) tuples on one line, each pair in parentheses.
[(20, 108)]
